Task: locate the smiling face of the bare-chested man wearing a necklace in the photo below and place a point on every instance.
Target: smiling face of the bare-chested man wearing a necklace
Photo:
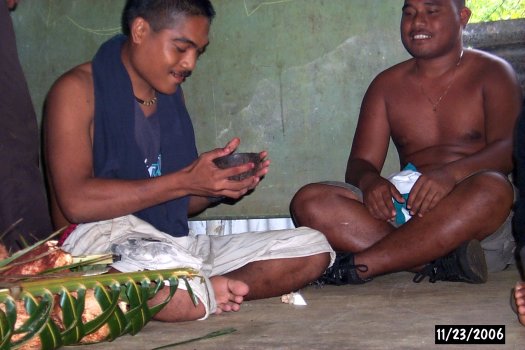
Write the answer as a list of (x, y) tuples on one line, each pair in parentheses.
[(431, 28)]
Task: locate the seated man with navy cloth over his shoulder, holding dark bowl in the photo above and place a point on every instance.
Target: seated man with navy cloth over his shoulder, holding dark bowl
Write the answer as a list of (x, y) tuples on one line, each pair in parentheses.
[(102, 122)]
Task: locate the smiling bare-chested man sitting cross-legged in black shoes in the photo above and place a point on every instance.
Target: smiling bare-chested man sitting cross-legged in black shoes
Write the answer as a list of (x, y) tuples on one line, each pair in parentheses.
[(450, 112)]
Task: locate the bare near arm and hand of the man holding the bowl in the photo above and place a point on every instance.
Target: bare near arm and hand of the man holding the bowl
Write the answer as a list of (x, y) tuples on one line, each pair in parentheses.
[(83, 198)]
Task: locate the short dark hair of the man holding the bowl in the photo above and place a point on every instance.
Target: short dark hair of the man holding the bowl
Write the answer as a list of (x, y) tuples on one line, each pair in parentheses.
[(161, 13)]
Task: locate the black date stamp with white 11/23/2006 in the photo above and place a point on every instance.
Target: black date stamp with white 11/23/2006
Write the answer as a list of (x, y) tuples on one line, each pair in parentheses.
[(469, 334)]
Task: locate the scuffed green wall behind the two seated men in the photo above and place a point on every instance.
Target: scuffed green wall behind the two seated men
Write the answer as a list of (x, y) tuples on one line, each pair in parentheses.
[(285, 76)]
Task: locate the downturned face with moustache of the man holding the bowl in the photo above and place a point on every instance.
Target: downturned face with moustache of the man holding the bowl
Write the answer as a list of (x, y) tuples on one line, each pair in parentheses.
[(167, 57)]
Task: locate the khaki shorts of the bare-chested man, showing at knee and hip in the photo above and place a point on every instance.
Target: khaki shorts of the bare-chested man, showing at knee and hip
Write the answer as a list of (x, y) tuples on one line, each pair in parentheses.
[(498, 247)]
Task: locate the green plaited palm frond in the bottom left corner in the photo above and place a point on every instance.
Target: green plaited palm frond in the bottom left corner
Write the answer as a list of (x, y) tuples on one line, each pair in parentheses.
[(39, 298)]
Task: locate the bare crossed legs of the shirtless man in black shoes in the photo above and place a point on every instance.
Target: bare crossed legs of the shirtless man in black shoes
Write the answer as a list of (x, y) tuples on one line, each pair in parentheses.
[(474, 209)]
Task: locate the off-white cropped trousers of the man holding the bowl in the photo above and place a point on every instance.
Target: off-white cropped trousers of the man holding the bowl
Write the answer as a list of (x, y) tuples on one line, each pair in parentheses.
[(142, 247)]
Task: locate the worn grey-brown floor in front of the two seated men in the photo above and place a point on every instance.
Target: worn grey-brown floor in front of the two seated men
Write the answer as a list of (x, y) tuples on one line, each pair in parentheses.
[(390, 312)]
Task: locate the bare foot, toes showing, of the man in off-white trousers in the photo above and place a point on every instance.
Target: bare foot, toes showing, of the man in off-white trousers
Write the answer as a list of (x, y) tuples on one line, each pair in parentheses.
[(229, 293)]
